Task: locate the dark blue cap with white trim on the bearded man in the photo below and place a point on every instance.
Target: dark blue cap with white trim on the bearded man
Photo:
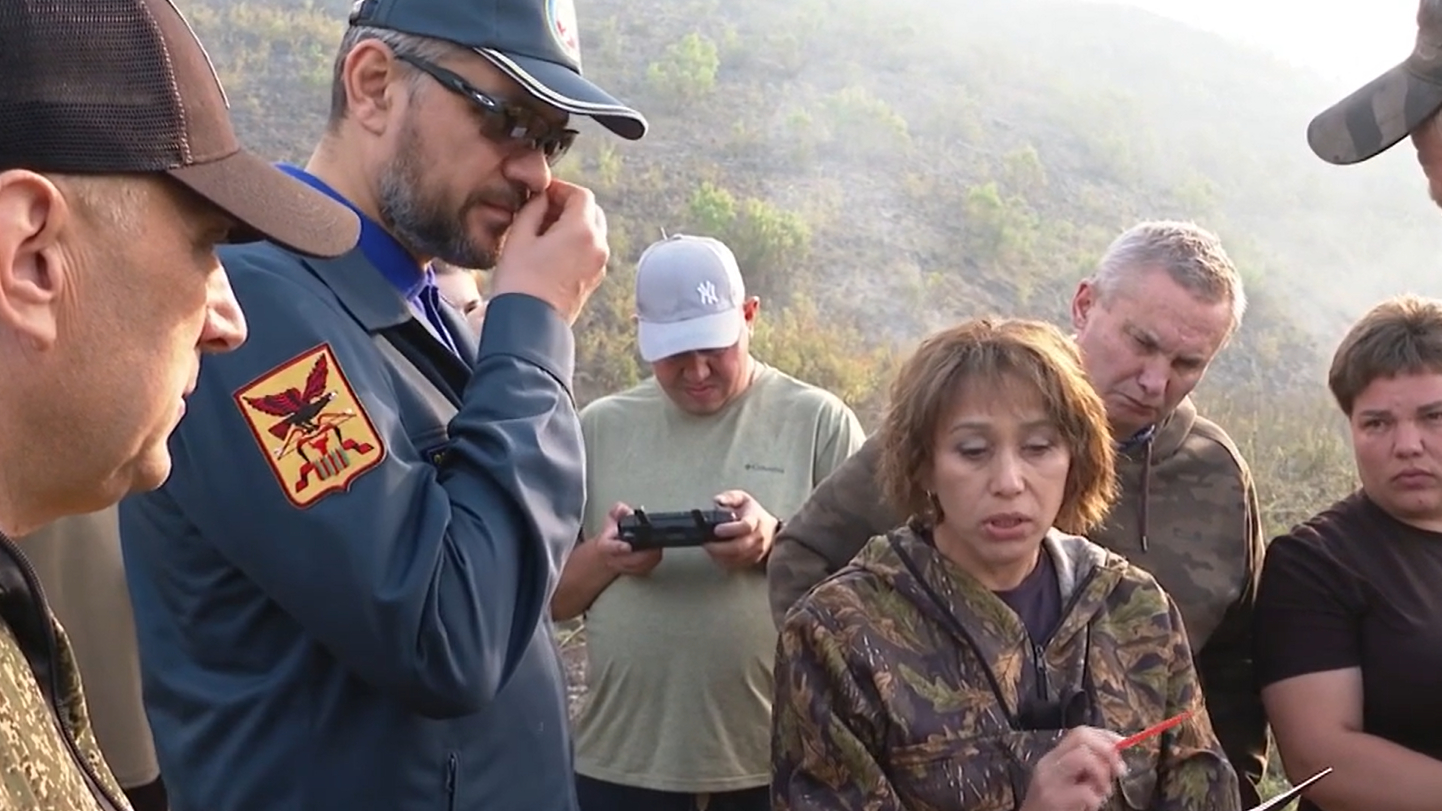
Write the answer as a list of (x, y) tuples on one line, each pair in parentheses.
[(536, 43)]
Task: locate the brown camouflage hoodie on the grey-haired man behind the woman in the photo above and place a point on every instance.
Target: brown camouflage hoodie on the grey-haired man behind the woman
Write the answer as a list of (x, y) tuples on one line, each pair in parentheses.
[(1187, 514)]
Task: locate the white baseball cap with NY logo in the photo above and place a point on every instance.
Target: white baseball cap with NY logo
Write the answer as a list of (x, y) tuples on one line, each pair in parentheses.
[(689, 298)]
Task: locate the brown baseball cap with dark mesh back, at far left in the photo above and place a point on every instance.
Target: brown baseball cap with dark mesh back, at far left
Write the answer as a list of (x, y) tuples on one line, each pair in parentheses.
[(112, 87)]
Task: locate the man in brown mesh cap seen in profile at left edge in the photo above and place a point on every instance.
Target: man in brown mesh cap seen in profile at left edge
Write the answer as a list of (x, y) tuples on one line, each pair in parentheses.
[(119, 177)]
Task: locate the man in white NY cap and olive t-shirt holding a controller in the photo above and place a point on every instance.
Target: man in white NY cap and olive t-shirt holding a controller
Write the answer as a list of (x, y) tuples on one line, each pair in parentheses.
[(680, 641)]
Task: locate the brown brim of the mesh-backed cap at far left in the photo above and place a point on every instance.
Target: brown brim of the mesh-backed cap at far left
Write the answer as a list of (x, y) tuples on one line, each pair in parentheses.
[(272, 206)]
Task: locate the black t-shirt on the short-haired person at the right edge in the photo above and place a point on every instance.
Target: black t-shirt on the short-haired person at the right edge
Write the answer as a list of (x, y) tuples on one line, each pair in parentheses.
[(1358, 588)]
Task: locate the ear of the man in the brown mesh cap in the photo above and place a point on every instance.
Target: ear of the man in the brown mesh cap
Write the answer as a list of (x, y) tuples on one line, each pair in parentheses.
[(34, 214)]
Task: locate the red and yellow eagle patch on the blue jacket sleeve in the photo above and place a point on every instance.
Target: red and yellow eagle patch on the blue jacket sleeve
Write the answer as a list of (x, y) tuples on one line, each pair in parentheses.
[(311, 426)]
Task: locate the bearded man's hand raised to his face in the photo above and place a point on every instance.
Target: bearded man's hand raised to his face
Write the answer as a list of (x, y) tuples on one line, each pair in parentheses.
[(556, 250)]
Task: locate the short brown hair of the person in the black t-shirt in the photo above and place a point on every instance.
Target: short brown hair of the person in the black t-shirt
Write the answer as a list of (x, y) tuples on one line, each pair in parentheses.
[(1401, 336)]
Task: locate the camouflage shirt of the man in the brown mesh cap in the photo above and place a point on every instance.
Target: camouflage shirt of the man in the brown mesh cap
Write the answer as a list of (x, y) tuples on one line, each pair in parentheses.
[(40, 770)]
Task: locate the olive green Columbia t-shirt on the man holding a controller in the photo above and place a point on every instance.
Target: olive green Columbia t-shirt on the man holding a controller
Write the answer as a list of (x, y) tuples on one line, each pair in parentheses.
[(680, 662)]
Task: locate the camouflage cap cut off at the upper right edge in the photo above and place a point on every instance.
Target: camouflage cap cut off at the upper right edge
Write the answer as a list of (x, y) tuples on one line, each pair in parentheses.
[(1388, 109)]
